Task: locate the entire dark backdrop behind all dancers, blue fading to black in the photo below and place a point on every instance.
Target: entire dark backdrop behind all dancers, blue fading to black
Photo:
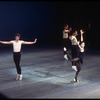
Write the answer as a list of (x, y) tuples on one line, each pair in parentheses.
[(46, 19)]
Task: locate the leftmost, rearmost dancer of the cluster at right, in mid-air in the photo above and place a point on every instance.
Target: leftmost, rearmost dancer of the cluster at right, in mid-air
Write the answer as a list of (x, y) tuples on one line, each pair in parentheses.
[(66, 41)]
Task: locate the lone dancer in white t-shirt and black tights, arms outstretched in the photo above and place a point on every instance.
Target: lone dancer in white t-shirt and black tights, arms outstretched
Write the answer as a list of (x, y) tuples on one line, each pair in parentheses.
[(17, 43)]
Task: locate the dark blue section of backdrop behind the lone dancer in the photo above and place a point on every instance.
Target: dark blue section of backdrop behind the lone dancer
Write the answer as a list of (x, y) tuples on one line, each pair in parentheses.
[(31, 19)]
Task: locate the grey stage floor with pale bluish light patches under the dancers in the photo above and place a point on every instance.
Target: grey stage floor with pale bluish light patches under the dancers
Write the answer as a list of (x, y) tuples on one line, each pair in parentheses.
[(47, 75)]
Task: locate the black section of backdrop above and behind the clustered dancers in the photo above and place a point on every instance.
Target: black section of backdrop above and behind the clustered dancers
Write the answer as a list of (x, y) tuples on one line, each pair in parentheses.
[(80, 14)]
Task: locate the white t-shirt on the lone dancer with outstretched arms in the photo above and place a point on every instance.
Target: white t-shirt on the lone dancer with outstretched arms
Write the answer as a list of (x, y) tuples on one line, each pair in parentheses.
[(17, 45)]
